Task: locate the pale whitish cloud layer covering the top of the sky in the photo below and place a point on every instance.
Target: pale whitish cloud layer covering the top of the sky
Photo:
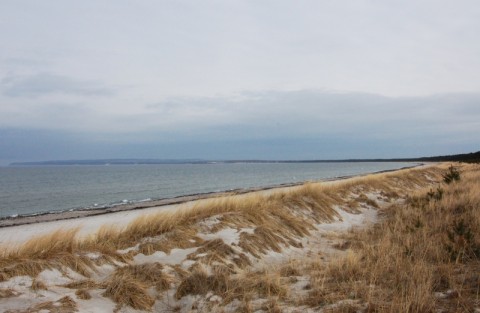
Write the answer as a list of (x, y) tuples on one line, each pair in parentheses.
[(394, 48)]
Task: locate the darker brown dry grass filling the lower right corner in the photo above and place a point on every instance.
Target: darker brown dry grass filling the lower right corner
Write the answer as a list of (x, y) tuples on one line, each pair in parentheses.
[(424, 246)]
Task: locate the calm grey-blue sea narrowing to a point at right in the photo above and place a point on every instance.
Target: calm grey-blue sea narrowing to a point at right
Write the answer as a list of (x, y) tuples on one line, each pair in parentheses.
[(33, 190)]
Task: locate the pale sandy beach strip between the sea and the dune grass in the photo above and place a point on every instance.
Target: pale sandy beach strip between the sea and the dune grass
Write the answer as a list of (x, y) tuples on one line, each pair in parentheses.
[(20, 229)]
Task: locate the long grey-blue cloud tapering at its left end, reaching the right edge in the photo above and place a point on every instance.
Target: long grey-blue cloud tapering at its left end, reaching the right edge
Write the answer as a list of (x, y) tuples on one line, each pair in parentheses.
[(311, 113)]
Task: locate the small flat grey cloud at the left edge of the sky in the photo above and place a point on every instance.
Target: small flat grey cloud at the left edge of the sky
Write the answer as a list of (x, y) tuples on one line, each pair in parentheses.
[(46, 84)]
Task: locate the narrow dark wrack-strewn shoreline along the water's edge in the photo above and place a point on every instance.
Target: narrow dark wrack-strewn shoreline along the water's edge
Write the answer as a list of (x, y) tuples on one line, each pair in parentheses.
[(46, 217)]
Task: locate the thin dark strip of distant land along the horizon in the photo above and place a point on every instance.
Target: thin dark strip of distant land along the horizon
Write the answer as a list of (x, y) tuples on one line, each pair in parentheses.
[(473, 157)]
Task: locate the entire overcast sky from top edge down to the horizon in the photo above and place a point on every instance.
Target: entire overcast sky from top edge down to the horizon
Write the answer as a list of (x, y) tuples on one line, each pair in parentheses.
[(248, 79)]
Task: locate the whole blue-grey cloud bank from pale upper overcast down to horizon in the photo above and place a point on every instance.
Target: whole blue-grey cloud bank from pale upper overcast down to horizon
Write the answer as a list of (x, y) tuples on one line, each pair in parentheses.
[(304, 124)]
